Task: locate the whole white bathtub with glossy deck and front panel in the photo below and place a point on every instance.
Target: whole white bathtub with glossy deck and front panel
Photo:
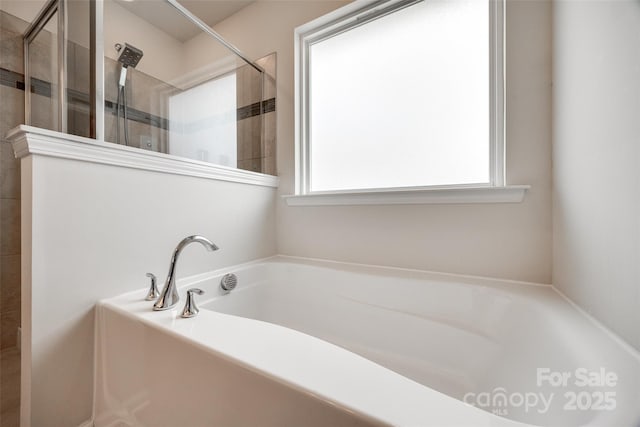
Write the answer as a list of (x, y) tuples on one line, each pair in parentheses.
[(332, 344)]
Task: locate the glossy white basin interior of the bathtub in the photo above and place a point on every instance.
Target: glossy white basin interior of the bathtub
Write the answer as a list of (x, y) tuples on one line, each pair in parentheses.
[(454, 335)]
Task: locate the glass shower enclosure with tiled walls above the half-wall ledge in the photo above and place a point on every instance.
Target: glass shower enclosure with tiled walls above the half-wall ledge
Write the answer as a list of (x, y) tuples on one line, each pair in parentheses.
[(149, 75)]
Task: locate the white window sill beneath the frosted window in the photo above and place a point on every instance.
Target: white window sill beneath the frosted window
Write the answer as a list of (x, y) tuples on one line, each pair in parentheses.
[(457, 195)]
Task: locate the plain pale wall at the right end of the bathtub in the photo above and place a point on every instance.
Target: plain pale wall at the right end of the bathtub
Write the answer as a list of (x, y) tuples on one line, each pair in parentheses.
[(596, 154)]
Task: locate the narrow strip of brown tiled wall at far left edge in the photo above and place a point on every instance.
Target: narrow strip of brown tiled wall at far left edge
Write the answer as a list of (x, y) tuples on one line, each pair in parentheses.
[(11, 115)]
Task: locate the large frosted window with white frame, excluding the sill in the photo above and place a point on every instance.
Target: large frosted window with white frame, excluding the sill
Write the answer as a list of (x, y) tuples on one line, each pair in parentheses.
[(399, 95)]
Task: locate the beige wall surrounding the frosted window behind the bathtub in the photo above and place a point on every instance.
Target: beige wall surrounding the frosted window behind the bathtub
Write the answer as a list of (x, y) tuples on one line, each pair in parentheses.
[(508, 241)]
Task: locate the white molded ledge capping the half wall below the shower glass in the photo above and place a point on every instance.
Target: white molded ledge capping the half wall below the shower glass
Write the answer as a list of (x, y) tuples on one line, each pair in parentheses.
[(29, 140)]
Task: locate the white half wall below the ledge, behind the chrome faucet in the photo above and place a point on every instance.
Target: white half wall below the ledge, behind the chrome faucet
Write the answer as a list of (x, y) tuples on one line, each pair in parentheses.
[(94, 231)]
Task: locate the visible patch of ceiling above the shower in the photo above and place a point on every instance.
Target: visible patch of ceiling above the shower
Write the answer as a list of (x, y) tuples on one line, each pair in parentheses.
[(162, 15)]
